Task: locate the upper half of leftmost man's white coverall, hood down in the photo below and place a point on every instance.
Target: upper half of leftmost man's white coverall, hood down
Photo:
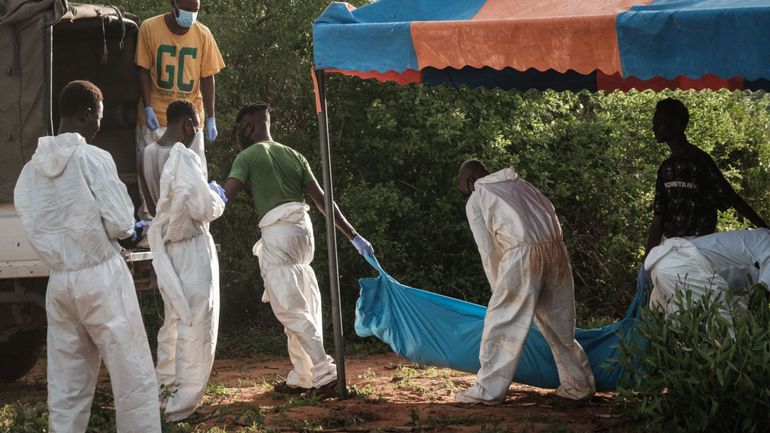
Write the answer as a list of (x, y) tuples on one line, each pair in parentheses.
[(72, 203)]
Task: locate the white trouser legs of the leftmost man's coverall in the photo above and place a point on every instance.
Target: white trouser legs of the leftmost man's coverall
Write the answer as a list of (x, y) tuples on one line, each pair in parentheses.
[(93, 314)]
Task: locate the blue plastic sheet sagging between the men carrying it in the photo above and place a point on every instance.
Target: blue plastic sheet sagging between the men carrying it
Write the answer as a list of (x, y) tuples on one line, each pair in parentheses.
[(432, 329)]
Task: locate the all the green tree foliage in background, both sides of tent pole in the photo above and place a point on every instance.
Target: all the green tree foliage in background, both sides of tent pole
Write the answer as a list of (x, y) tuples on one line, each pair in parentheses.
[(396, 151)]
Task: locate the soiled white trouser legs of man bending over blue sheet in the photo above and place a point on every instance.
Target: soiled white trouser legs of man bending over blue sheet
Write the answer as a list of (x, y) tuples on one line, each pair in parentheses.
[(534, 282)]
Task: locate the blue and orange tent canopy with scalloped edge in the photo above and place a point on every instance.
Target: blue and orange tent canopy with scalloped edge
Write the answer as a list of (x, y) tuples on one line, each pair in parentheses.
[(550, 44)]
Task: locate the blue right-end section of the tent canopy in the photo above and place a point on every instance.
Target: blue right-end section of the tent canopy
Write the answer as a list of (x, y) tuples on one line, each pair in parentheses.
[(668, 38)]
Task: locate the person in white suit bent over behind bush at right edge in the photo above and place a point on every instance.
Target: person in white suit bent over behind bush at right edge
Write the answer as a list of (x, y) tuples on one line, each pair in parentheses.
[(713, 264)]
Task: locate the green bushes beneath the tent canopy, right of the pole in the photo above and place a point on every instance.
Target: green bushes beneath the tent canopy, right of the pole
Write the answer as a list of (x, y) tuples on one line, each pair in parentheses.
[(397, 153)]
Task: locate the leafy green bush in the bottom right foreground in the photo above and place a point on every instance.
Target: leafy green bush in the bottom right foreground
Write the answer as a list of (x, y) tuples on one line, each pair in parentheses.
[(696, 371)]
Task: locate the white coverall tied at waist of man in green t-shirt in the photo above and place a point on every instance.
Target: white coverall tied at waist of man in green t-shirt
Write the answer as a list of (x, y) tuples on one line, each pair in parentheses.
[(285, 252)]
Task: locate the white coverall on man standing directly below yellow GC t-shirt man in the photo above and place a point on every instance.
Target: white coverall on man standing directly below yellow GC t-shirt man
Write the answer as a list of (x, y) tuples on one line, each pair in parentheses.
[(185, 261)]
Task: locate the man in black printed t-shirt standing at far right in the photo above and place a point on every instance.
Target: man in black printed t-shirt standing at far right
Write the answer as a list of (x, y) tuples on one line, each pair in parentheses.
[(690, 187)]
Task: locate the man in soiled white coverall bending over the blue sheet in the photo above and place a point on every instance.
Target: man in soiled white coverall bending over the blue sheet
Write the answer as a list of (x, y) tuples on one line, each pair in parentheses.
[(520, 242)]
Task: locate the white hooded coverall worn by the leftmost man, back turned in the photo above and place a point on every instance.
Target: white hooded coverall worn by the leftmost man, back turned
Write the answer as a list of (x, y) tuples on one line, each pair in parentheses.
[(74, 208)]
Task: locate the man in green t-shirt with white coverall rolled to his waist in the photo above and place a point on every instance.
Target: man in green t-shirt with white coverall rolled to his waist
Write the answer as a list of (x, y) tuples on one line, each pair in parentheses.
[(279, 177)]
